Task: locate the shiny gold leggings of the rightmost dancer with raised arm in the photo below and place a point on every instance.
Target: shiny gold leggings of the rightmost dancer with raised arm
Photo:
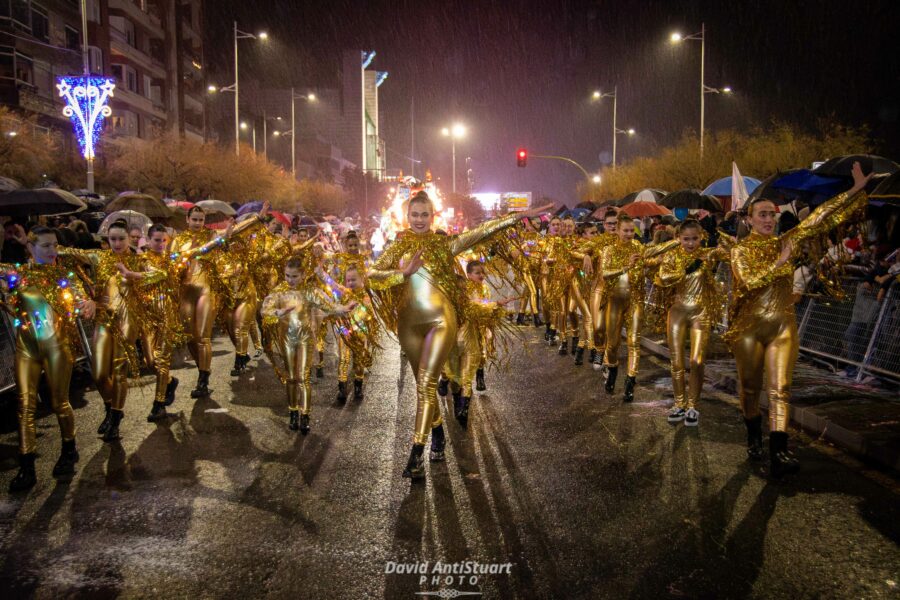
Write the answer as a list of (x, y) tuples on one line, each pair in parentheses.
[(771, 342)]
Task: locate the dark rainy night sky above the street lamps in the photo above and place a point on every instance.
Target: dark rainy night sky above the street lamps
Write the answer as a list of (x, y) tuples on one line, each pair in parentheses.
[(520, 73)]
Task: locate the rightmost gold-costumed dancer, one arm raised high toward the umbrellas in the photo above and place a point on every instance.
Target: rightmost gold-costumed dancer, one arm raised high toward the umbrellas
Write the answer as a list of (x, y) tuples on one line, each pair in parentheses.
[(762, 330)]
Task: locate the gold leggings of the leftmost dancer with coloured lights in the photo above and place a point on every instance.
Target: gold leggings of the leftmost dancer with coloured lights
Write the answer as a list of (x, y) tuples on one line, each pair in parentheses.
[(54, 357)]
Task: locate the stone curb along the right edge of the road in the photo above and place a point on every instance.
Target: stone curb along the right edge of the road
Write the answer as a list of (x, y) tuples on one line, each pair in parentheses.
[(806, 419)]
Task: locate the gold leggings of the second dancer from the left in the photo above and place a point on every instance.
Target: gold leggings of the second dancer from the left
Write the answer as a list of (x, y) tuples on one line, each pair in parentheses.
[(109, 362)]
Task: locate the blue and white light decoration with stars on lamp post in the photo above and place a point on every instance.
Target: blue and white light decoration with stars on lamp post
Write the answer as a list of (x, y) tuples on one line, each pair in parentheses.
[(87, 104)]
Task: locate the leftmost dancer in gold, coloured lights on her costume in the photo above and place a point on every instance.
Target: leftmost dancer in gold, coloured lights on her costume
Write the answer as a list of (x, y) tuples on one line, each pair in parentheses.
[(44, 299)]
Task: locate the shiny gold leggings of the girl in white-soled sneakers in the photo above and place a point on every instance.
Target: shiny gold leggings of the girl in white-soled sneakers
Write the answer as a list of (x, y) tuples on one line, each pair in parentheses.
[(681, 321)]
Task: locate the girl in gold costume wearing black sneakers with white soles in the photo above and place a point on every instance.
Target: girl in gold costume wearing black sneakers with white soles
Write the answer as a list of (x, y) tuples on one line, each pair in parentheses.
[(694, 303)]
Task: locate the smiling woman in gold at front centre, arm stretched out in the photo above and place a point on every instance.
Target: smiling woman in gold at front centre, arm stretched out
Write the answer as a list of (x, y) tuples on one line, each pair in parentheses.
[(424, 305)]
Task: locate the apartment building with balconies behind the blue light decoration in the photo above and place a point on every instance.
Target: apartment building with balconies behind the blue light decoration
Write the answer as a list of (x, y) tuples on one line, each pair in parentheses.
[(152, 48)]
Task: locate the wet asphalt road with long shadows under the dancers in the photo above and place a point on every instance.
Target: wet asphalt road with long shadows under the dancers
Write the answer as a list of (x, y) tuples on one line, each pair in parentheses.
[(583, 496)]
